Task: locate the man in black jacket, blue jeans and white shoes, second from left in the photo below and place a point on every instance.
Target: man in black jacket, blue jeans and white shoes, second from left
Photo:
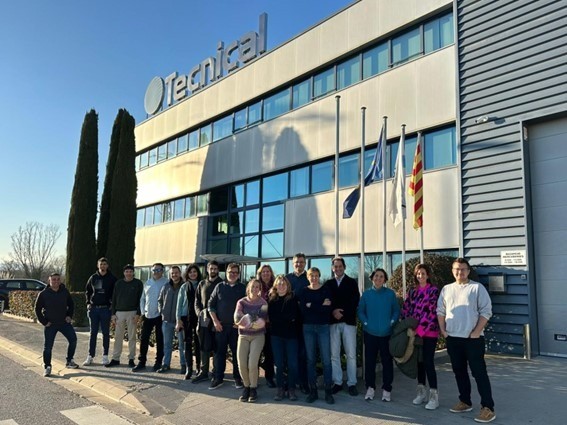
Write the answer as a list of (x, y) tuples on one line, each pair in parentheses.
[(99, 297)]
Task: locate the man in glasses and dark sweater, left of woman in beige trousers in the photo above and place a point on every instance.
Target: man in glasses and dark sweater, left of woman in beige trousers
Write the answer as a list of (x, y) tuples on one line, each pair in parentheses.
[(221, 308)]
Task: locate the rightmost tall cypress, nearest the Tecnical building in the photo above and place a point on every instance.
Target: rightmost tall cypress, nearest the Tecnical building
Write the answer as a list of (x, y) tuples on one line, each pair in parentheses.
[(122, 212)]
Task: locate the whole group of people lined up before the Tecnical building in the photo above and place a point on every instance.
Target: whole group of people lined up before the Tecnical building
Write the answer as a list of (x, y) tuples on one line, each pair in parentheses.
[(290, 319)]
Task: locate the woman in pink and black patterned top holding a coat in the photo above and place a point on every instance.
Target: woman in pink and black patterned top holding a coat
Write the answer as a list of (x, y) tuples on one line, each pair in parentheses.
[(421, 304)]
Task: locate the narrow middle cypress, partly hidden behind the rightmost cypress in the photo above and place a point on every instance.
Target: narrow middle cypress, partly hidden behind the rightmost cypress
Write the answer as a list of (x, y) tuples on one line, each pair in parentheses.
[(104, 216)]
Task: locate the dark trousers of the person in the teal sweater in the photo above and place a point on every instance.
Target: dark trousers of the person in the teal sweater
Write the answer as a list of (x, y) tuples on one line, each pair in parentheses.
[(372, 346)]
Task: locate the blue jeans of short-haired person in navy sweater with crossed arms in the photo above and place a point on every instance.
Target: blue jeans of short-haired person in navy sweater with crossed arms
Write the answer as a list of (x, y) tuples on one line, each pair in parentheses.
[(318, 336)]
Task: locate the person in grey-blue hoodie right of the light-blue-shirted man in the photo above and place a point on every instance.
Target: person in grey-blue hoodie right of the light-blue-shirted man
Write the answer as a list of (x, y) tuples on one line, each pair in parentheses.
[(167, 306)]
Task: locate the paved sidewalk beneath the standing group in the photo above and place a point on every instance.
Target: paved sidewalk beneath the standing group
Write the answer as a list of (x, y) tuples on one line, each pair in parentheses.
[(525, 392)]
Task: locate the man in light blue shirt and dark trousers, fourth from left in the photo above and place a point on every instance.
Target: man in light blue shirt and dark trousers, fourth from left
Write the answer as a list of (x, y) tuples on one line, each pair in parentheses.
[(151, 318)]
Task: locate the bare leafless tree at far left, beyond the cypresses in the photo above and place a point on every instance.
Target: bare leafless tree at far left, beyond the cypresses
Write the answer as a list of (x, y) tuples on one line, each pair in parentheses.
[(33, 248)]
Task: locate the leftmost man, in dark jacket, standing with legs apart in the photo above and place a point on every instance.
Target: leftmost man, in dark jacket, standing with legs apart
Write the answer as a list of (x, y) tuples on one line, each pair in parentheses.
[(54, 309)]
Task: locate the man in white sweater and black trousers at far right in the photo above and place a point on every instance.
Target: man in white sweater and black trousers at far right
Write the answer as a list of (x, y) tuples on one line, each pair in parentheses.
[(463, 310)]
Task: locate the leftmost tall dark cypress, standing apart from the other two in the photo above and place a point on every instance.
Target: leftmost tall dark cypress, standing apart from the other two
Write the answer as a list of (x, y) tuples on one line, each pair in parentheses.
[(81, 243)]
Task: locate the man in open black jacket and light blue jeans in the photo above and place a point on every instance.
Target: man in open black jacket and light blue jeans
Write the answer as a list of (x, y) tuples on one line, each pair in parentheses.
[(343, 325)]
